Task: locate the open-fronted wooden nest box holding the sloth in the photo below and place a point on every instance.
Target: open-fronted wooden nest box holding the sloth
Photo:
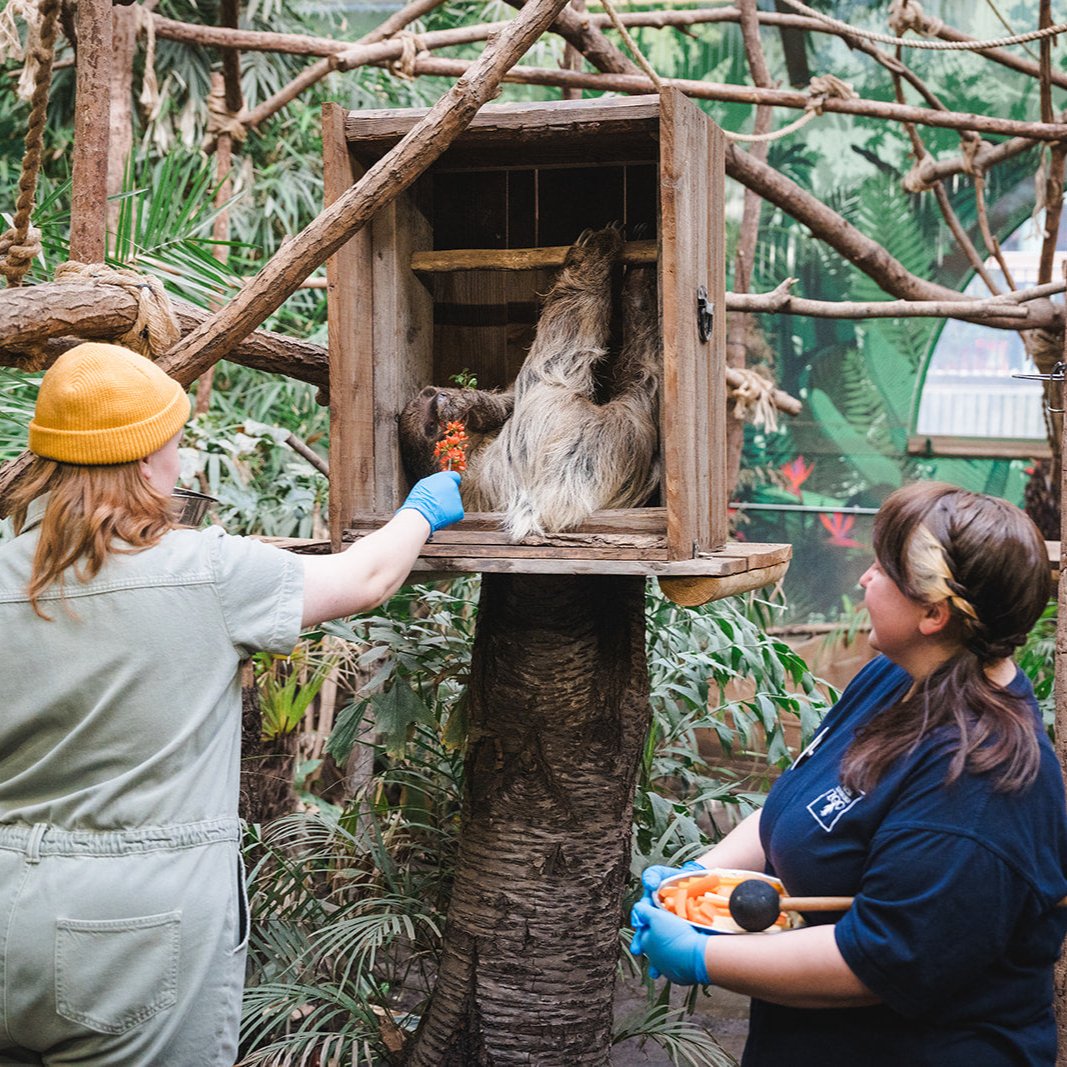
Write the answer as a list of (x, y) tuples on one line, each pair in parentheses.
[(445, 281)]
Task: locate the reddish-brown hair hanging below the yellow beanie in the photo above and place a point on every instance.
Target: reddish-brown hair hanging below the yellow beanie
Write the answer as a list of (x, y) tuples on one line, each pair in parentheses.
[(92, 512)]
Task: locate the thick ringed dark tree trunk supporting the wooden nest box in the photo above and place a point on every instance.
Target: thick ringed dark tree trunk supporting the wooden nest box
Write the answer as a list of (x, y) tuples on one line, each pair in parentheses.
[(560, 712)]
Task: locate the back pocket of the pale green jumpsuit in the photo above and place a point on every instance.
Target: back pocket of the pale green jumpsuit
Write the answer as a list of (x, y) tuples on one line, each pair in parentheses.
[(113, 975)]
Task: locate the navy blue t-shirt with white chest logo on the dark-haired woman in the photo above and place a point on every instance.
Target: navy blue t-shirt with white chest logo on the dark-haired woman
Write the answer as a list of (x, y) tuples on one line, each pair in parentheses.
[(954, 926)]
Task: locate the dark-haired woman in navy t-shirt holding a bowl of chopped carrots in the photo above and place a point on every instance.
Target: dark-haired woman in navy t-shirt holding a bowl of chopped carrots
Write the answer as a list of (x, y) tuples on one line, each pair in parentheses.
[(932, 795)]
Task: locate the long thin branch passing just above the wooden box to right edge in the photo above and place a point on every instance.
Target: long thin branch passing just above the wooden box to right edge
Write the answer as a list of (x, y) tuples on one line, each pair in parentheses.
[(747, 94)]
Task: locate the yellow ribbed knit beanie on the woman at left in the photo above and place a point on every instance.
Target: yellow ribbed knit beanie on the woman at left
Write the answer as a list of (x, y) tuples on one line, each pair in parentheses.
[(103, 404)]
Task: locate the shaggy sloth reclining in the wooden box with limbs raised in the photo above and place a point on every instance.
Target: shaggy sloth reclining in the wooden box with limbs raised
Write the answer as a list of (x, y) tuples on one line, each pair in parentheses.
[(579, 431)]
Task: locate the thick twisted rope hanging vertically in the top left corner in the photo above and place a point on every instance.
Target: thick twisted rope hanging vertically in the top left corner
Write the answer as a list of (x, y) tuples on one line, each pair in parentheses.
[(21, 245)]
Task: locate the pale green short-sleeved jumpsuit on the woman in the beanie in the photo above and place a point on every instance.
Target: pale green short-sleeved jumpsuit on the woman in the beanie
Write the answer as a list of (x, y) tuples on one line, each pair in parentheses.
[(123, 920)]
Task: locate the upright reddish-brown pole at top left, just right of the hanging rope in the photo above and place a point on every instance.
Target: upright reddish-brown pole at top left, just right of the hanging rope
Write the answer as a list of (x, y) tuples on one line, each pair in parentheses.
[(92, 129)]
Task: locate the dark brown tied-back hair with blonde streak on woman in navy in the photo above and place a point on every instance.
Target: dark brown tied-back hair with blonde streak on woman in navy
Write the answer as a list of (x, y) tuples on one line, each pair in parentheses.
[(989, 563)]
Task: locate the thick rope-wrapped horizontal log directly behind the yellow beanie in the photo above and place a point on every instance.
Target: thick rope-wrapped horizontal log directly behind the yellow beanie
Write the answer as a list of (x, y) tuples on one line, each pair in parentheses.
[(50, 318)]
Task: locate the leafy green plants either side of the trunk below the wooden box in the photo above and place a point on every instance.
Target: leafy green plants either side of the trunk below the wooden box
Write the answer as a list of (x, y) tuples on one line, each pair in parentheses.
[(349, 900)]
